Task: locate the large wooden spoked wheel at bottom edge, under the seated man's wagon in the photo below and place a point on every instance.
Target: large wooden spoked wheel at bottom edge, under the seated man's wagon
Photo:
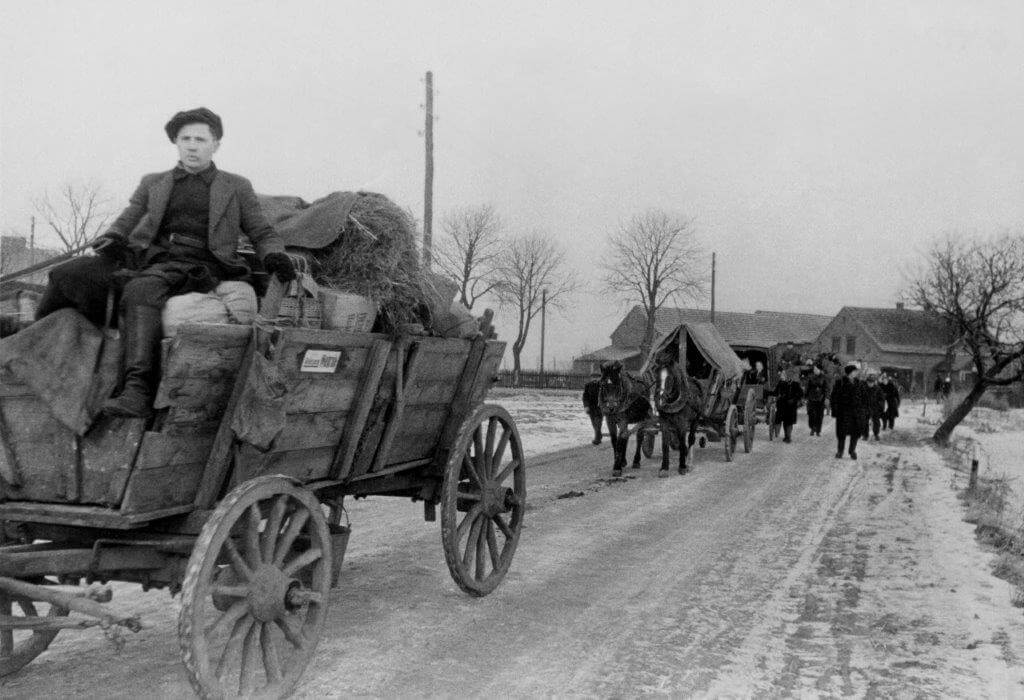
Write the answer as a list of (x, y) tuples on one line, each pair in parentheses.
[(255, 593)]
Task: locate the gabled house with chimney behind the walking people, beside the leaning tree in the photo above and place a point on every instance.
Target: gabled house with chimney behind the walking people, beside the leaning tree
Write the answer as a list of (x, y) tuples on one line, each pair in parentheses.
[(914, 345)]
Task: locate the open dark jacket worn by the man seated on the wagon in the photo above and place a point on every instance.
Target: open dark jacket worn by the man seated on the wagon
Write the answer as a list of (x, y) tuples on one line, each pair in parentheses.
[(234, 212)]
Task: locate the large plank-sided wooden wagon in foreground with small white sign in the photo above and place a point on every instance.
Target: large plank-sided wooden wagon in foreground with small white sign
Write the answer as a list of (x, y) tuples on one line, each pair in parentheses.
[(251, 540)]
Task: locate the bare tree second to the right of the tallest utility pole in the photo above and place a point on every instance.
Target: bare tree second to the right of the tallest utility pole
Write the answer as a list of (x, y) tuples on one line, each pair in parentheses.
[(528, 267)]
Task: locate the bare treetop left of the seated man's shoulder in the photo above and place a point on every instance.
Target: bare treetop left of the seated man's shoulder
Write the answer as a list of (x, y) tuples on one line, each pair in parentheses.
[(77, 213)]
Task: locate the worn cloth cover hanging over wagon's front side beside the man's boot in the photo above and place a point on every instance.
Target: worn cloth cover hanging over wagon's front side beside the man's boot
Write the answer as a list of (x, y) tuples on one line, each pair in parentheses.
[(68, 363)]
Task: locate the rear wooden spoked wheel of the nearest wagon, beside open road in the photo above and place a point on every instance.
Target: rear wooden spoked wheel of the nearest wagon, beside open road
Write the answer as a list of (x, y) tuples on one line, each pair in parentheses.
[(483, 501)]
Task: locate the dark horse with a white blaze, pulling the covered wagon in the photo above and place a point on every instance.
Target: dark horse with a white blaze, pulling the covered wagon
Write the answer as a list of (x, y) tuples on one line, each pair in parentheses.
[(678, 402)]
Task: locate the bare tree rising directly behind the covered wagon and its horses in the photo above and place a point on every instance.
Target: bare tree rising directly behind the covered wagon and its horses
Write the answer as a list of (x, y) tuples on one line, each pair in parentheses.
[(654, 259)]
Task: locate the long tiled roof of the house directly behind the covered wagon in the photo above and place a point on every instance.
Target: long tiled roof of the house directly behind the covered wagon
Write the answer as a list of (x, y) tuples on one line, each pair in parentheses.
[(760, 330)]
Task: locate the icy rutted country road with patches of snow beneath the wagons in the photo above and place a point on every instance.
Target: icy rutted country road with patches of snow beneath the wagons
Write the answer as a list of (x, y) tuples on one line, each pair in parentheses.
[(786, 573)]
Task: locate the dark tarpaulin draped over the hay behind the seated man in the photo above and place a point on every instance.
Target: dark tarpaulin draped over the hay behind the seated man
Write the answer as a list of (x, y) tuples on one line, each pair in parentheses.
[(304, 225)]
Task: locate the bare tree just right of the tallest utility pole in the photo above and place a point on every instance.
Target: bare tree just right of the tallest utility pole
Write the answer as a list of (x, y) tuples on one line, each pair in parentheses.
[(471, 250)]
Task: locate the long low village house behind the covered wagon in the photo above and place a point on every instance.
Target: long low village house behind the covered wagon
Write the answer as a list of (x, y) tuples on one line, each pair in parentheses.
[(746, 333)]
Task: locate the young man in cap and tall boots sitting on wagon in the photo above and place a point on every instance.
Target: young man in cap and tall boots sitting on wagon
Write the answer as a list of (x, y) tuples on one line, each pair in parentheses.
[(180, 234)]
